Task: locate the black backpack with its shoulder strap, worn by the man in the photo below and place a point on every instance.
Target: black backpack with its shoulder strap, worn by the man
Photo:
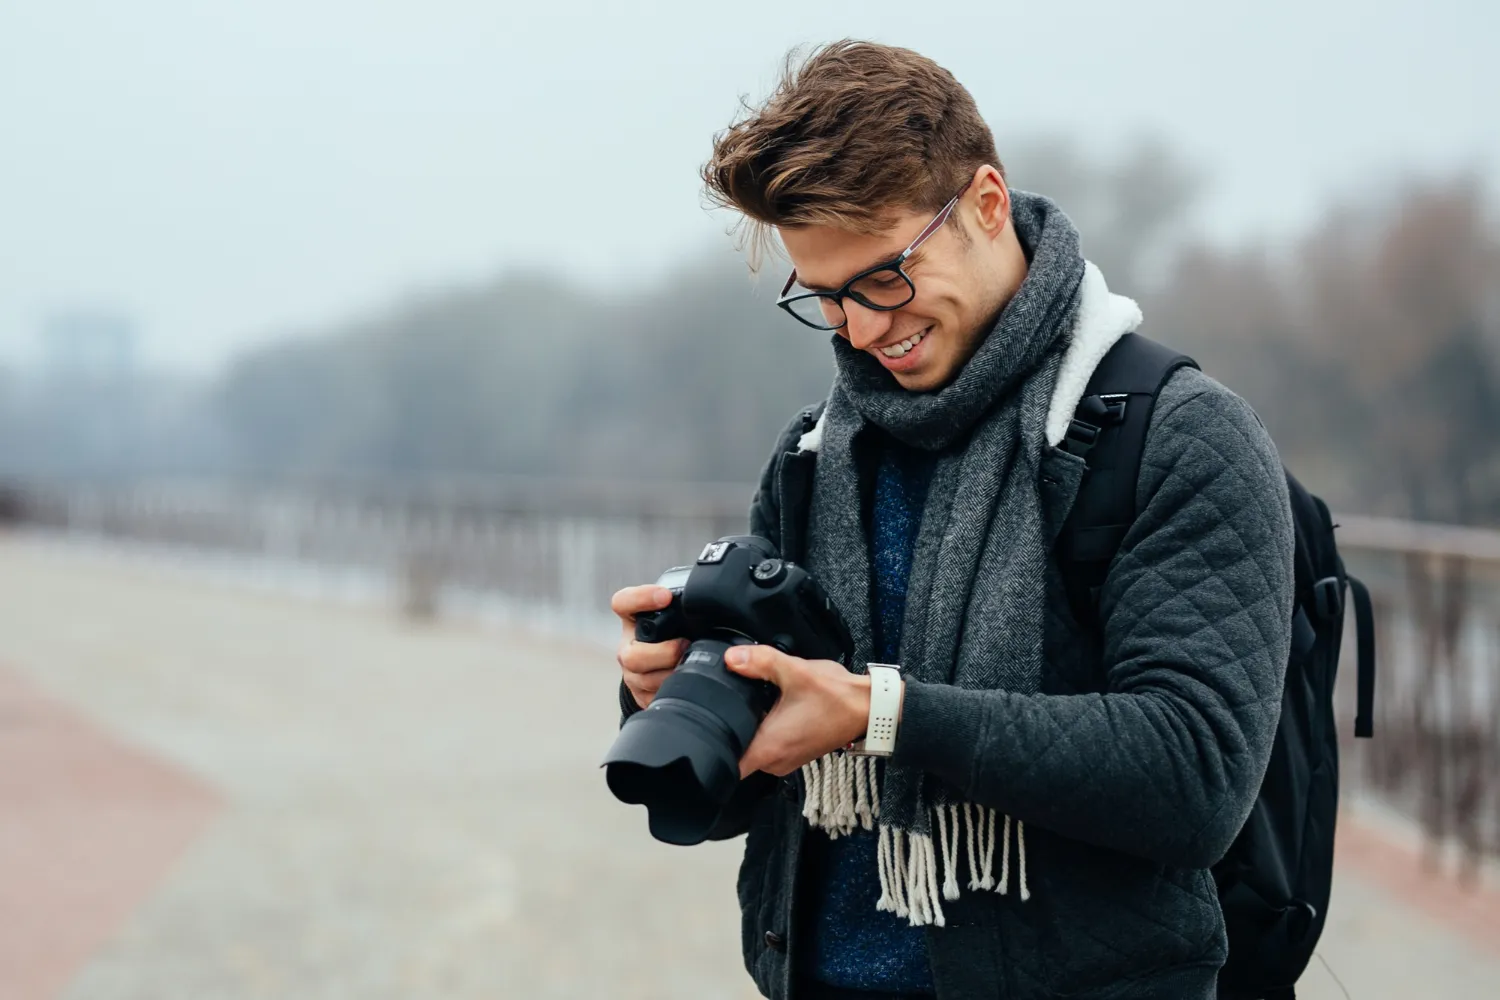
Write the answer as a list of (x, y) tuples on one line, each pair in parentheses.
[(1274, 882)]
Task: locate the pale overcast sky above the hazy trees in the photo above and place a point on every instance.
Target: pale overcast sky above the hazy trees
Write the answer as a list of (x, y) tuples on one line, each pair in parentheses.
[(235, 172)]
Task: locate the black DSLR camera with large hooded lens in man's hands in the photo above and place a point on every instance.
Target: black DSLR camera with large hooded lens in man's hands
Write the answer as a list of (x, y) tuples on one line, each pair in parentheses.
[(682, 755)]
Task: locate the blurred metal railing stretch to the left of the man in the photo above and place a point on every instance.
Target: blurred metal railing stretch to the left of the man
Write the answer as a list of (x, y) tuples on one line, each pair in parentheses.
[(565, 546)]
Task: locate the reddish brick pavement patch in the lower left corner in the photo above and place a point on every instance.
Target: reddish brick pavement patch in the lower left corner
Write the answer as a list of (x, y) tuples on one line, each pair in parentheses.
[(88, 828)]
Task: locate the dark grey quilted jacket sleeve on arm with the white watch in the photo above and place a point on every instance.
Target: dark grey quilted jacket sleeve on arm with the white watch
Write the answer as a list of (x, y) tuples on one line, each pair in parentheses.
[(1165, 762)]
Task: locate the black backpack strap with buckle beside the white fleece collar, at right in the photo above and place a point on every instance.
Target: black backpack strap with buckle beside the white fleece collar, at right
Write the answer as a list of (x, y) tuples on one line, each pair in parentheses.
[(1109, 434)]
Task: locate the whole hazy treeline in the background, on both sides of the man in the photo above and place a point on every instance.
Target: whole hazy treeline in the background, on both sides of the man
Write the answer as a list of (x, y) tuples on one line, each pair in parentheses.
[(1370, 349)]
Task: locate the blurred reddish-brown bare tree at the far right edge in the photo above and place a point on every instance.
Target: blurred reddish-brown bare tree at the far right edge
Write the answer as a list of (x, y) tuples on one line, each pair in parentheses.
[(1409, 317)]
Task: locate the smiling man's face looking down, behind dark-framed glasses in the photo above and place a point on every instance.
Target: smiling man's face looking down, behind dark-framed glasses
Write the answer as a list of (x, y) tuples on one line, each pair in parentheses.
[(961, 284)]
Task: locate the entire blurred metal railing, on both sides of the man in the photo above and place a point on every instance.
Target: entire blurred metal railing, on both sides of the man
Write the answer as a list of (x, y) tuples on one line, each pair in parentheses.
[(1436, 590)]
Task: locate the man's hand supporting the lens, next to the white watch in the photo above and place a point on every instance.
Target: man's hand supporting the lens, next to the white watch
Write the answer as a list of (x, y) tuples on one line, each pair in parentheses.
[(823, 708)]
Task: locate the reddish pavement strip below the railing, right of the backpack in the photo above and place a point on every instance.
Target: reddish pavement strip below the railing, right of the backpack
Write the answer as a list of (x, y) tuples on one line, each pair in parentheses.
[(1469, 911)]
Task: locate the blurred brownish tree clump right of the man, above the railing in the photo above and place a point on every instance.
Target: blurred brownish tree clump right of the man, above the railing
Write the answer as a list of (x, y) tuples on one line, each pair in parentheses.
[(1370, 350)]
